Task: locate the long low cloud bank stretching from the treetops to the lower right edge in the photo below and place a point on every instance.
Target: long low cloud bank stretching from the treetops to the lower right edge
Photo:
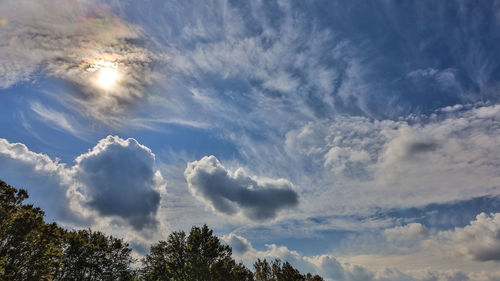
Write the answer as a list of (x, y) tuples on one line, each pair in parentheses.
[(439, 256)]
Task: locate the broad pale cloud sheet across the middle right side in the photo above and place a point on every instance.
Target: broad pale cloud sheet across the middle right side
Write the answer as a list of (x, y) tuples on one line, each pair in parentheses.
[(356, 164)]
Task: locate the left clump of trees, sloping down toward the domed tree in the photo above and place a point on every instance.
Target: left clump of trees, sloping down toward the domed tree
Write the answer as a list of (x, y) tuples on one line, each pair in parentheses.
[(31, 249)]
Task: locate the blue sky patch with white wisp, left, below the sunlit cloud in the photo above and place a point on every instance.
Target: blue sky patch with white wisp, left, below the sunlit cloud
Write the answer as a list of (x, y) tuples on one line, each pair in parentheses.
[(20, 121)]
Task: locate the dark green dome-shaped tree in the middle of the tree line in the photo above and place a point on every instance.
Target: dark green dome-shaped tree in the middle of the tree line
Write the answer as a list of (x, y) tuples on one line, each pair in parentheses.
[(197, 257)]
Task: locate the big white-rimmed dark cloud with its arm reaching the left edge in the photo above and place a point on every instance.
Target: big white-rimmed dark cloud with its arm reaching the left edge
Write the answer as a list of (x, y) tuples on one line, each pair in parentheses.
[(115, 180)]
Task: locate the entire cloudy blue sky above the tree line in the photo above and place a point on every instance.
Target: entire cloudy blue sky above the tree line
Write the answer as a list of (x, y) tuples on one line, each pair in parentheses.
[(356, 139)]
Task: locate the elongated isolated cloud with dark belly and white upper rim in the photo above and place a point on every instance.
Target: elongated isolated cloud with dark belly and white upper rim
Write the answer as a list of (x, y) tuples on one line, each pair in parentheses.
[(233, 192)]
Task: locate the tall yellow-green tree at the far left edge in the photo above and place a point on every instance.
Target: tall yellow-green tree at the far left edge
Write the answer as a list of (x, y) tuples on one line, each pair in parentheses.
[(30, 249)]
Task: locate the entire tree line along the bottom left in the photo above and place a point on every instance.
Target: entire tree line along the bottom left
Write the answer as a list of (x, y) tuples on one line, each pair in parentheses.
[(31, 249)]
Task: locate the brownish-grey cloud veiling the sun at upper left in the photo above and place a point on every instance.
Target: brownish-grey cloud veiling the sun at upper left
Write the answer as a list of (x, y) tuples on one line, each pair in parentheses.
[(81, 42)]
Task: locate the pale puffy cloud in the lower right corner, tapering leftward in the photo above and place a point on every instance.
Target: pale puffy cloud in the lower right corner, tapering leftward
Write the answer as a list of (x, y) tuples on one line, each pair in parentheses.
[(463, 253)]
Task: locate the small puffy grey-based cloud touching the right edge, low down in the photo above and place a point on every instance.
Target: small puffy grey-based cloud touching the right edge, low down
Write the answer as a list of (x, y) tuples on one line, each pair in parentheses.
[(480, 240)]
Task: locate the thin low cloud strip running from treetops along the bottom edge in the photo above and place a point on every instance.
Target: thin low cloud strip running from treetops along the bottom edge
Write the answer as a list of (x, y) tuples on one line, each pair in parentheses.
[(340, 269)]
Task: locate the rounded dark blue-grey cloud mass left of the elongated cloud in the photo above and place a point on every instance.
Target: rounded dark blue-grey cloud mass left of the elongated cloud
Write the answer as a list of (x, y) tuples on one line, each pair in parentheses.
[(119, 180)]
